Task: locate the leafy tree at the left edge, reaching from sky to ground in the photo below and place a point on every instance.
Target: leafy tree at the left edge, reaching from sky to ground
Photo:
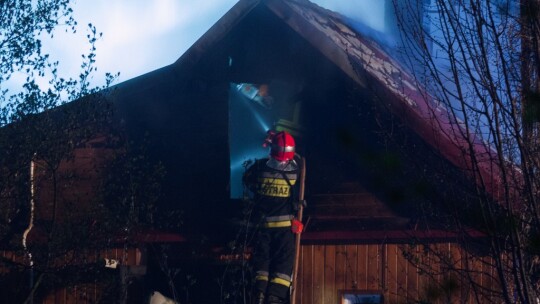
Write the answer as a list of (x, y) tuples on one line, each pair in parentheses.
[(45, 142)]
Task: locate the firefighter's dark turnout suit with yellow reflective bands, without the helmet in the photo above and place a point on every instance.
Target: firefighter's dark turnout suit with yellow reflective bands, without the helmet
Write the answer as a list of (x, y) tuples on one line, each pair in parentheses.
[(274, 196)]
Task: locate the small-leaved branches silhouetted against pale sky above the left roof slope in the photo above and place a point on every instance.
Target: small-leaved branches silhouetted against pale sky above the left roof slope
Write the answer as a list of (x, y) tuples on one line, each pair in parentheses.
[(23, 25)]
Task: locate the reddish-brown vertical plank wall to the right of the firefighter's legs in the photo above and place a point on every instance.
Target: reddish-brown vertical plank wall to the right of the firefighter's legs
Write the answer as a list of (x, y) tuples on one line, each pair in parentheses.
[(402, 273)]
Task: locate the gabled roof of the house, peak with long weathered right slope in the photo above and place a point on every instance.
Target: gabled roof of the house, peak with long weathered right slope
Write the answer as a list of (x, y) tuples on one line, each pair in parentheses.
[(371, 67)]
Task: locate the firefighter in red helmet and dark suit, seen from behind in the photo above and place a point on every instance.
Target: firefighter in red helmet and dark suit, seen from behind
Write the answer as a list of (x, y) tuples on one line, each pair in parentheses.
[(272, 181)]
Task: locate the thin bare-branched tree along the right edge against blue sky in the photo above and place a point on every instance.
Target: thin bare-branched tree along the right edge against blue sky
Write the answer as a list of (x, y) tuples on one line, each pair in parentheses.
[(480, 62)]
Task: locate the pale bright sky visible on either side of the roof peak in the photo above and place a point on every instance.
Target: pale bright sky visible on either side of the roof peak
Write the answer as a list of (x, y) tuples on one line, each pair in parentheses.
[(140, 36)]
